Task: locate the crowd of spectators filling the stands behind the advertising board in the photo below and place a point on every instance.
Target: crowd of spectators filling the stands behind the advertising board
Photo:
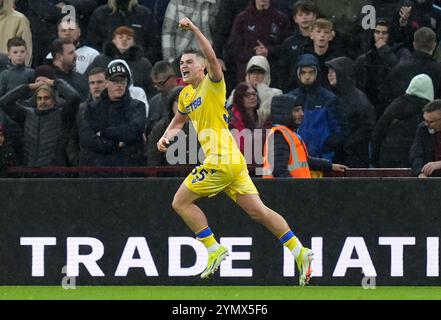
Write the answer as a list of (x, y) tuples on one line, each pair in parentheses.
[(96, 88)]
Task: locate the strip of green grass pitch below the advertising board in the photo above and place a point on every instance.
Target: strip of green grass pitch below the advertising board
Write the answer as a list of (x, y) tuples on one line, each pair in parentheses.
[(217, 293)]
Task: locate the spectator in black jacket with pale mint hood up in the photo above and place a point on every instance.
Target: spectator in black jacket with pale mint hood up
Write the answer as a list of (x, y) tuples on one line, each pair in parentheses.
[(395, 130)]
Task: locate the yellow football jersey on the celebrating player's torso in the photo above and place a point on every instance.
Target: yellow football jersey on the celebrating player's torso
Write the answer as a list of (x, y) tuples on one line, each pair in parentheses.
[(205, 106)]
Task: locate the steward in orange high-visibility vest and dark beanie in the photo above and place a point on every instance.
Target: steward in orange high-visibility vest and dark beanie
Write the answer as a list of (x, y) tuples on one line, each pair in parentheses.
[(285, 153)]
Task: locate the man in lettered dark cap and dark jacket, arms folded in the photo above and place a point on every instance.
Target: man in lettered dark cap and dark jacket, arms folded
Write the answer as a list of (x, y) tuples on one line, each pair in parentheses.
[(111, 131)]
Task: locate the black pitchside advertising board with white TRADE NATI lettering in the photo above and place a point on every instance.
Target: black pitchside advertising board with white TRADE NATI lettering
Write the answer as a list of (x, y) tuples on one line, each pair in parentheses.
[(124, 232)]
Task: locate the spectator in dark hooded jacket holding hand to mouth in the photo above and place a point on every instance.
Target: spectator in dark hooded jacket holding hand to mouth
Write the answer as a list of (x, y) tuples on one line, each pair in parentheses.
[(375, 65)]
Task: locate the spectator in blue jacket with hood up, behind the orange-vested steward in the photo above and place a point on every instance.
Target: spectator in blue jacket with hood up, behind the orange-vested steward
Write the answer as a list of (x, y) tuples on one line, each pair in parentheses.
[(323, 125)]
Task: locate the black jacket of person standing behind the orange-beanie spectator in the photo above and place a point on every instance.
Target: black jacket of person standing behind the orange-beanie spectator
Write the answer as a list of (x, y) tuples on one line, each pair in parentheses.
[(116, 13)]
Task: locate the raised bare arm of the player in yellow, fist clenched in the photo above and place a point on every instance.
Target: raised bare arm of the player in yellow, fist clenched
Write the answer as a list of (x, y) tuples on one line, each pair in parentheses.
[(213, 66)]
